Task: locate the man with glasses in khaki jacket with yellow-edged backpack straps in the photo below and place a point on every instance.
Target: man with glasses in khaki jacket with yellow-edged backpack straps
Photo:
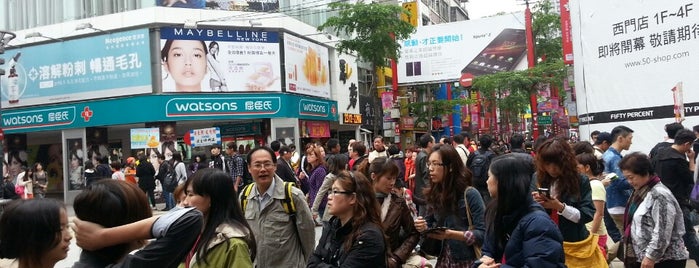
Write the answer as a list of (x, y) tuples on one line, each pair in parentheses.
[(270, 222)]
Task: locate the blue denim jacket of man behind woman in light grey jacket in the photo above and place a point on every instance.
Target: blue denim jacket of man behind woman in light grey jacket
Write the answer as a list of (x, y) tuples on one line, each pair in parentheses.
[(619, 190)]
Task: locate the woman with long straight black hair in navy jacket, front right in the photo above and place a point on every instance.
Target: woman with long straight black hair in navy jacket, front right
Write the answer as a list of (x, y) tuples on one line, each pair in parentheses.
[(519, 233)]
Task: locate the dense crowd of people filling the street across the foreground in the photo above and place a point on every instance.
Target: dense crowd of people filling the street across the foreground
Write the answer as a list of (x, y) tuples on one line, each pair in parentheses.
[(555, 203)]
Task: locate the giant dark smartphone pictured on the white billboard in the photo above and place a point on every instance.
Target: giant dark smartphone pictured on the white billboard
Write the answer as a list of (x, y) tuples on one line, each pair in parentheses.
[(502, 54)]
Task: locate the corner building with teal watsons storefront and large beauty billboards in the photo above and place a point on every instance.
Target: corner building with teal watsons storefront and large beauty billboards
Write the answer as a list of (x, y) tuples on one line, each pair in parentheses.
[(133, 77)]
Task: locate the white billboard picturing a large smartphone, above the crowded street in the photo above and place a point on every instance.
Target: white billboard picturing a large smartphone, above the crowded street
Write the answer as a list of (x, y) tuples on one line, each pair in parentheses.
[(443, 52)]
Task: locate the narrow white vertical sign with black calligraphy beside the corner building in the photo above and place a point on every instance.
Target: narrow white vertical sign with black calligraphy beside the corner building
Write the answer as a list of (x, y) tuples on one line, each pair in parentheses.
[(346, 77)]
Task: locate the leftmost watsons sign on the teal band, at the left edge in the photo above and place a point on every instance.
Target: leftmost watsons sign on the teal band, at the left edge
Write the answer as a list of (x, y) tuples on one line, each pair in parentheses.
[(38, 118)]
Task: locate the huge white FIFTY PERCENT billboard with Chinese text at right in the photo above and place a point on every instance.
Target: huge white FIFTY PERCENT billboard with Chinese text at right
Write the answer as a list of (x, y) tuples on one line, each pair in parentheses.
[(634, 54)]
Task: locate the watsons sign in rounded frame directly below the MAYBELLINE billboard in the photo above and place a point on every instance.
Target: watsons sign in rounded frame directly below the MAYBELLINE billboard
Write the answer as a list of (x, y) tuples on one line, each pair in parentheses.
[(186, 107)]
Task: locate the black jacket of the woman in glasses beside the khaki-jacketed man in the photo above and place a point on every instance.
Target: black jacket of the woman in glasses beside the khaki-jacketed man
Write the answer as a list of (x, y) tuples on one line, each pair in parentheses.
[(368, 250)]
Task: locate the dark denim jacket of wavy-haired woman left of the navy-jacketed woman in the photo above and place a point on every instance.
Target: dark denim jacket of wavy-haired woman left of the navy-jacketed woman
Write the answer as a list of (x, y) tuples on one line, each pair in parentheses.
[(458, 220)]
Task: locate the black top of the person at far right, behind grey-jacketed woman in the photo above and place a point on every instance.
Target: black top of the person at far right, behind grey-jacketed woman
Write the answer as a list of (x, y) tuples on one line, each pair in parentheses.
[(673, 169)]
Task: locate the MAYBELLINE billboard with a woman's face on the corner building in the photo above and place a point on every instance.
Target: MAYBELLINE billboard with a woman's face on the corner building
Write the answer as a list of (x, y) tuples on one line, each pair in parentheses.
[(218, 60)]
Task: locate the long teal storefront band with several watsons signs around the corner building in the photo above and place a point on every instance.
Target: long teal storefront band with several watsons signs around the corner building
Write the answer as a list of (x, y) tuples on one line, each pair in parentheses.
[(154, 108)]
